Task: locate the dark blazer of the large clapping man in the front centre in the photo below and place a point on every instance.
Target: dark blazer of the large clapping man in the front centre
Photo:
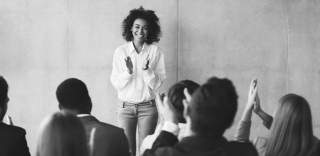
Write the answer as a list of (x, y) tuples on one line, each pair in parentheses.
[(167, 145)]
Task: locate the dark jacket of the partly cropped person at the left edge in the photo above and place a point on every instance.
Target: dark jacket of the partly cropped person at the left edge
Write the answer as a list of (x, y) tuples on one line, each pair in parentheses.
[(13, 141)]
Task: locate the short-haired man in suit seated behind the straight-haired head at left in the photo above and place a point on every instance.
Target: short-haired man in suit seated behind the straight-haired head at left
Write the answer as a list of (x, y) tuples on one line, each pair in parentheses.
[(73, 96)]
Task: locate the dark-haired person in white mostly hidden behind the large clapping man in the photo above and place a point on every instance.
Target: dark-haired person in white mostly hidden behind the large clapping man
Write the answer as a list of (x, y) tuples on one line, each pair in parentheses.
[(175, 97)]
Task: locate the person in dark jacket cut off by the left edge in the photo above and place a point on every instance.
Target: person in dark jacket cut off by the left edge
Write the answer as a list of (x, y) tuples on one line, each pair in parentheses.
[(12, 139)]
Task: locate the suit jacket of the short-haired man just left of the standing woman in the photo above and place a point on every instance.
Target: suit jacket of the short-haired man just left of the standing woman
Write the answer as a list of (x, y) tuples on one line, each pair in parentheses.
[(109, 140)]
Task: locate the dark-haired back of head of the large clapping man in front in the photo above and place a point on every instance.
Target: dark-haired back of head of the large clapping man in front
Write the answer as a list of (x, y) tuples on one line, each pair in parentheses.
[(213, 107)]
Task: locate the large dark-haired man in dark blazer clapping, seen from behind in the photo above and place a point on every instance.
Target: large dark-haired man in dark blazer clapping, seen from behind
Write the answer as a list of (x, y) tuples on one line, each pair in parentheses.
[(208, 114)]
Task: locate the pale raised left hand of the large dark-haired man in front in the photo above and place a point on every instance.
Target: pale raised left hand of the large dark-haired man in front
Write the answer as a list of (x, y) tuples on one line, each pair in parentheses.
[(166, 109)]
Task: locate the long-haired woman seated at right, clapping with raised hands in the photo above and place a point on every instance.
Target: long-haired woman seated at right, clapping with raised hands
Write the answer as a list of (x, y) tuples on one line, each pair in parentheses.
[(291, 132)]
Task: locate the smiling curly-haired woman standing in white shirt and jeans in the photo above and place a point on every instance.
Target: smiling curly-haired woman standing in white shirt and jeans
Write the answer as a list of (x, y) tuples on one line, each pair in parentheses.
[(138, 70)]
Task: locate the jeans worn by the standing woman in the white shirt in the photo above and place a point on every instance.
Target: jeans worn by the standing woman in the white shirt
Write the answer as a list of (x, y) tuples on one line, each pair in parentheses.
[(144, 115)]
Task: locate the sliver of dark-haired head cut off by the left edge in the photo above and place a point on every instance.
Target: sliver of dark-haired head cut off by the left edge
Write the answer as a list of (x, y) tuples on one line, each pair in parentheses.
[(4, 99)]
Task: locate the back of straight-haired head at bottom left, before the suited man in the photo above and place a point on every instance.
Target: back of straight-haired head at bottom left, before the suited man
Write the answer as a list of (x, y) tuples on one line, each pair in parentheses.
[(61, 134)]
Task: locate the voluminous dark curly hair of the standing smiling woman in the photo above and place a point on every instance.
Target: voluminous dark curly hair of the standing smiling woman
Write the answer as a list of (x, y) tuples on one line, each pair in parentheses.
[(154, 30)]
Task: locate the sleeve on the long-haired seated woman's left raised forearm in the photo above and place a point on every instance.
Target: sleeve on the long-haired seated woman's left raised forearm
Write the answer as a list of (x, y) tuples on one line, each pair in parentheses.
[(243, 131)]
